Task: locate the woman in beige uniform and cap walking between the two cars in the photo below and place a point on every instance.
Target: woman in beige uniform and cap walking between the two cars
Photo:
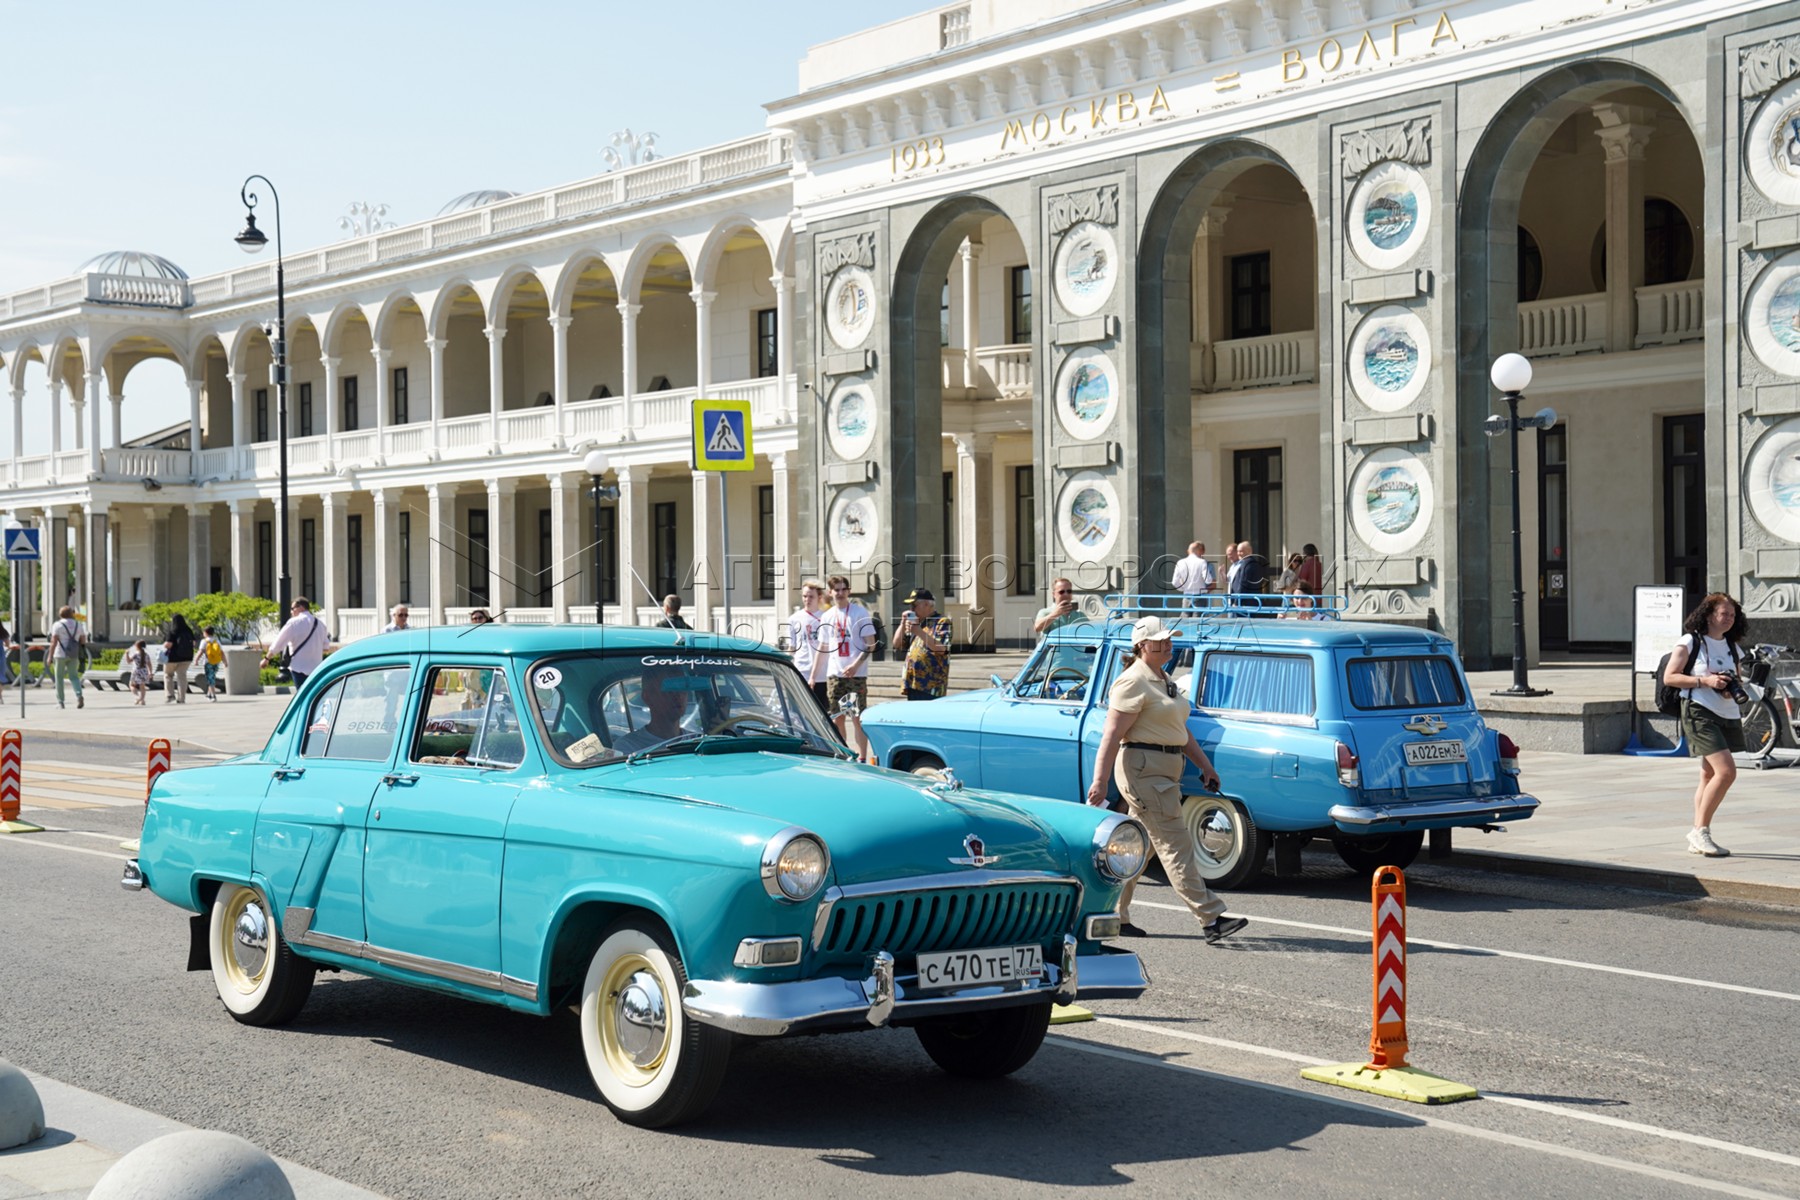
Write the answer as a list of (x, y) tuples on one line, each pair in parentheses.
[(1147, 719)]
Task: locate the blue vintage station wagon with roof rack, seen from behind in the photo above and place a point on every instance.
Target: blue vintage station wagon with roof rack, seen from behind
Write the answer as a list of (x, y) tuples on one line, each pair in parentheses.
[(1320, 728)]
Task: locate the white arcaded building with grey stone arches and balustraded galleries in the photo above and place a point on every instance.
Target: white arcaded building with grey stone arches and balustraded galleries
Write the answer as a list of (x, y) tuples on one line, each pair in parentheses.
[(1025, 289)]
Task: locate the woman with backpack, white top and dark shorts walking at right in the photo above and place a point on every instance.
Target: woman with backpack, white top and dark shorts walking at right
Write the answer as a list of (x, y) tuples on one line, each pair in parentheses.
[(1705, 667)]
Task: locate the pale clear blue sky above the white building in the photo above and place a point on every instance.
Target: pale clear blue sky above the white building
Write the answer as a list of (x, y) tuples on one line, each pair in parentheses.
[(132, 127)]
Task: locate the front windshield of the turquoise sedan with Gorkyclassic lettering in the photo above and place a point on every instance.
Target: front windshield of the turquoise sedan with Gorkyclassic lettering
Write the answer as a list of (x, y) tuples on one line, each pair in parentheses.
[(607, 708)]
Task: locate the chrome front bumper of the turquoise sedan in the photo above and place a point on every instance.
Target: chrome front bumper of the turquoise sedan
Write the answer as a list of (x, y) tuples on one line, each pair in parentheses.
[(885, 998)]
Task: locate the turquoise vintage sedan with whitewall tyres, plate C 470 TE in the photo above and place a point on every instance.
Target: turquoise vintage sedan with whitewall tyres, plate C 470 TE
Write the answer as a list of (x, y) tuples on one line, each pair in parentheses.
[(654, 827)]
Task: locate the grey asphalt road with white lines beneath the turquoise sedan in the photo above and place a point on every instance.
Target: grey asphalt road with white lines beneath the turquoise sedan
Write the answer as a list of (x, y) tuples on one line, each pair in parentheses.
[(1626, 1044)]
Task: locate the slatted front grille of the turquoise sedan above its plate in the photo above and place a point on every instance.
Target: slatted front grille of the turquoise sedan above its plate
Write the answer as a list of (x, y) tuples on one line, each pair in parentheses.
[(948, 918)]
